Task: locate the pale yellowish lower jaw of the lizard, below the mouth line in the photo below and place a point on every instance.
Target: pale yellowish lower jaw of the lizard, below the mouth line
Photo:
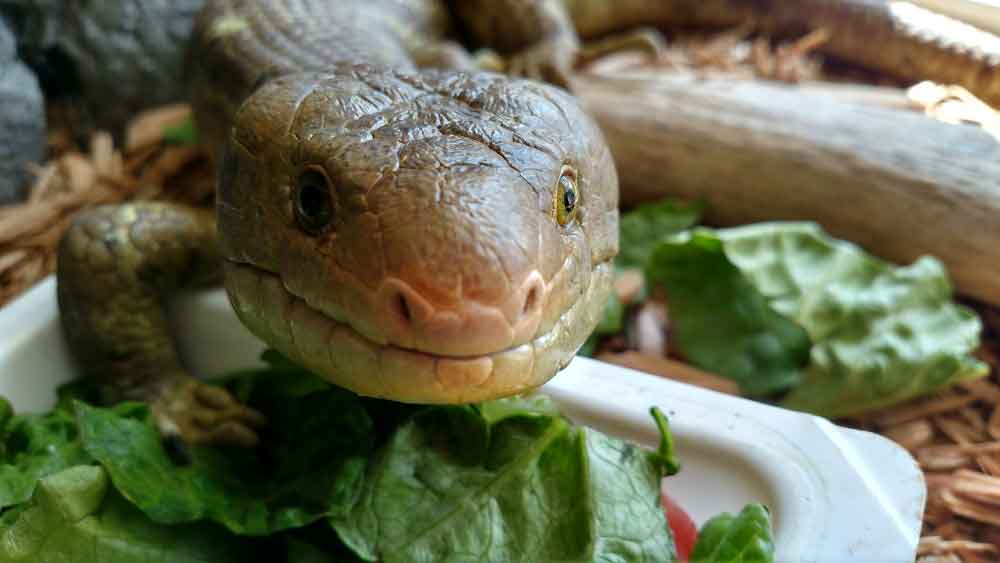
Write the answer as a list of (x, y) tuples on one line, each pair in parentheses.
[(342, 355)]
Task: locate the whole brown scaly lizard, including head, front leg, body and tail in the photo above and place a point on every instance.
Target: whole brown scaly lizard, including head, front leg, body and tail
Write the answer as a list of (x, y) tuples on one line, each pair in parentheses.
[(444, 268)]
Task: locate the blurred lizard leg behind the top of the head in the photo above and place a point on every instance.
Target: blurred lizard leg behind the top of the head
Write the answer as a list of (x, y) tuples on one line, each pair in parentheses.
[(536, 37)]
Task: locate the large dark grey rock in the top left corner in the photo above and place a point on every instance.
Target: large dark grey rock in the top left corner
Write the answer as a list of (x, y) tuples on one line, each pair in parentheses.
[(116, 57)]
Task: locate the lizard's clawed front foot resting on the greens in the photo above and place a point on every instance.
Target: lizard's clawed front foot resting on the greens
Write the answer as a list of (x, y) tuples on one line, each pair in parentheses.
[(191, 411)]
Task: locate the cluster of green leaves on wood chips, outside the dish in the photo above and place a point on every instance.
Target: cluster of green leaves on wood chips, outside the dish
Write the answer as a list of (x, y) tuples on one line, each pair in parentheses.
[(791, 313)]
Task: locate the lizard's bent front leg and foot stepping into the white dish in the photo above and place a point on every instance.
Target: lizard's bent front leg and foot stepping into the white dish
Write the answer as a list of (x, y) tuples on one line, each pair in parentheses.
[(116, 265)]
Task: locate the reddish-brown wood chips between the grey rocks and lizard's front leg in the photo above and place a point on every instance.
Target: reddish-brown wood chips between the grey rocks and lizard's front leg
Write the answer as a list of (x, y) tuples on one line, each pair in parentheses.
[(144, 167)]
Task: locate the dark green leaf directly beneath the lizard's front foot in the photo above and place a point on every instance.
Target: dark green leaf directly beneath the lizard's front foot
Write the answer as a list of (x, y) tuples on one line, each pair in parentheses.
[(314, 469)]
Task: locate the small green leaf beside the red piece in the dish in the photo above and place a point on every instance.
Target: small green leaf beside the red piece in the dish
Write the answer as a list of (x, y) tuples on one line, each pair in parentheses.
[(744, 538)]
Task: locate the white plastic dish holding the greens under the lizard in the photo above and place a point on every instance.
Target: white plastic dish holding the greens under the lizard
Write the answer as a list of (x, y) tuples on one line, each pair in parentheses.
[(836, 494)]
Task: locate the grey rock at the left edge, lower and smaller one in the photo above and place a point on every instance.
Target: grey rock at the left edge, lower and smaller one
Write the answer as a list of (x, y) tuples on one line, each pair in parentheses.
[(22, 120)]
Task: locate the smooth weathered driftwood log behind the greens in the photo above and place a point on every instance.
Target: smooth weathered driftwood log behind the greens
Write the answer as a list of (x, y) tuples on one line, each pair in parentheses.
[(896, 182)]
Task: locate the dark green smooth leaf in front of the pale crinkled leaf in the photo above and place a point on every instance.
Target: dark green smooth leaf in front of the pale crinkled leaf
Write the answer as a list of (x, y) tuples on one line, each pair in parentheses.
[(721, 322)]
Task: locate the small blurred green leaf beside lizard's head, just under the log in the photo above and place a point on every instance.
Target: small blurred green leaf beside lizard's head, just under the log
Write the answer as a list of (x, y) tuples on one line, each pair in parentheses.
[(645, 227)]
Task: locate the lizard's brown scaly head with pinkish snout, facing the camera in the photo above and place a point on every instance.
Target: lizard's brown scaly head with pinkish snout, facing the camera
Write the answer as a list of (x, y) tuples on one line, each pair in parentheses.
[(432, 237)]
